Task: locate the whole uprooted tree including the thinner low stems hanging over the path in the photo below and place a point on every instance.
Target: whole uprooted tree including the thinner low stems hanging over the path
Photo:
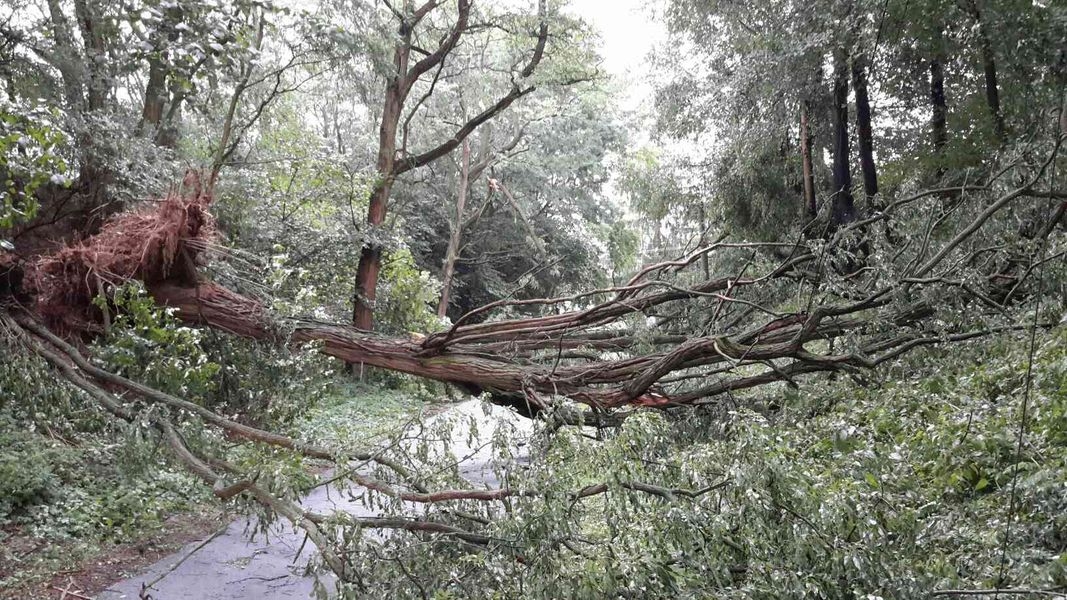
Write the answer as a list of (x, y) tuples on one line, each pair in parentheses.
[(665, 340)]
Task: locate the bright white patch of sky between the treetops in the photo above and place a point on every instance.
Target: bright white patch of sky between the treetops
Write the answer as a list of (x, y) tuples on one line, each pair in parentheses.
[(628, 36)]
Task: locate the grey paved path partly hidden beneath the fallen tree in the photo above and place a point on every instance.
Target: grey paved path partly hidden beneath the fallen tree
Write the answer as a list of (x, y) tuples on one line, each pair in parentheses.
[(233, 566)]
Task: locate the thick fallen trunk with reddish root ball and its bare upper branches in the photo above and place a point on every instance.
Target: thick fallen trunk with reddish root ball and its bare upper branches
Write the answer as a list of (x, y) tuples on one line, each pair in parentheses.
[(590, 355)]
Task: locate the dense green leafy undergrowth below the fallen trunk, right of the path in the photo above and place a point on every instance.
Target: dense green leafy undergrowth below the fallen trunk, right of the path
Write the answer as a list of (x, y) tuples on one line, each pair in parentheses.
[(841, 491)]
